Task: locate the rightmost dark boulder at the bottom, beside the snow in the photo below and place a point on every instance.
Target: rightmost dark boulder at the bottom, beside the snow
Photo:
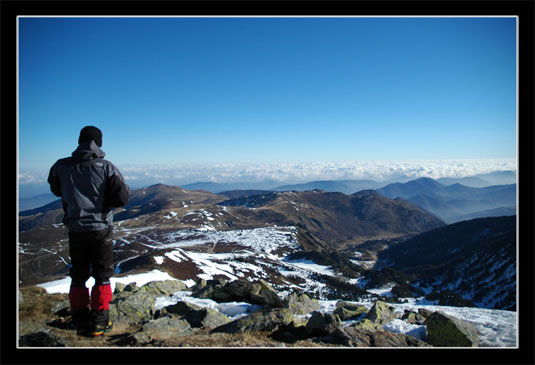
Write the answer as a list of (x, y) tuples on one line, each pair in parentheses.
[(447, 331)]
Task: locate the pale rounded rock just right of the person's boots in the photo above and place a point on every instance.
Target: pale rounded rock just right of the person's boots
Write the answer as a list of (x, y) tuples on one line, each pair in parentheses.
[(162, 329)]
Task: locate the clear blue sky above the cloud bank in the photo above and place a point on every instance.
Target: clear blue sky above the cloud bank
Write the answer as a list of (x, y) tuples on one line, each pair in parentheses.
[(268, 90)]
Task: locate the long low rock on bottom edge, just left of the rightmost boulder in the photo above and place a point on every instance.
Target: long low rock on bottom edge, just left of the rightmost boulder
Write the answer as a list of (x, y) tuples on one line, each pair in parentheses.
[(357, 337)]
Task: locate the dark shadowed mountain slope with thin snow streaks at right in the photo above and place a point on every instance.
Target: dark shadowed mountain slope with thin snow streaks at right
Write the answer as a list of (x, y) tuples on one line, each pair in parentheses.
[(475, 259)]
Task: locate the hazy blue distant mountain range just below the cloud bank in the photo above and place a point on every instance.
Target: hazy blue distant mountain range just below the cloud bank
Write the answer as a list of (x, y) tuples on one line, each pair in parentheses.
[(450, 203)]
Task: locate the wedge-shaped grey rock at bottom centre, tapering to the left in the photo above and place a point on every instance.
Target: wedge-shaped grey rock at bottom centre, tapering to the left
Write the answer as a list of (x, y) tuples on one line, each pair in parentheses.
[(266, 320)]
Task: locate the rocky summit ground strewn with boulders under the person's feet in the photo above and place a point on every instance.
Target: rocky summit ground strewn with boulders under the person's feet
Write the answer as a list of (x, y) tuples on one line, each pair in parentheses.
[(272, 320)]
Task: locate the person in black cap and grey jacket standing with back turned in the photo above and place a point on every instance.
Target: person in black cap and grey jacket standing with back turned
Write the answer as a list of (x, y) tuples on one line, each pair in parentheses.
[(89, 187)]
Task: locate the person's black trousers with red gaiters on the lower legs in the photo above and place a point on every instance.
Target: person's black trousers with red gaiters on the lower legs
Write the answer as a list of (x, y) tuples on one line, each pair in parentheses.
[(91, 255)]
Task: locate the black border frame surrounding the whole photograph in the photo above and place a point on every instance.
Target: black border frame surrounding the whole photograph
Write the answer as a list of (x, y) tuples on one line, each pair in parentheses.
[(524, 9)]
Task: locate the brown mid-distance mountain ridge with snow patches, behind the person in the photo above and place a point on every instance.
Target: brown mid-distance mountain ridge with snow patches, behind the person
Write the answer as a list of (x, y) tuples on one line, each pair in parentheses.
[(325, 222)]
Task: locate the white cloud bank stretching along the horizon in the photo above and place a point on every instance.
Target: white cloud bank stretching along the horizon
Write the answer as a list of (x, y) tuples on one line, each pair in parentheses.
[(139, 175)]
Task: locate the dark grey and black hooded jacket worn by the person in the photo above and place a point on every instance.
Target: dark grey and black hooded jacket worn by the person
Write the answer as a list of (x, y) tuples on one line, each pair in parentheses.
[(89, 186)]
